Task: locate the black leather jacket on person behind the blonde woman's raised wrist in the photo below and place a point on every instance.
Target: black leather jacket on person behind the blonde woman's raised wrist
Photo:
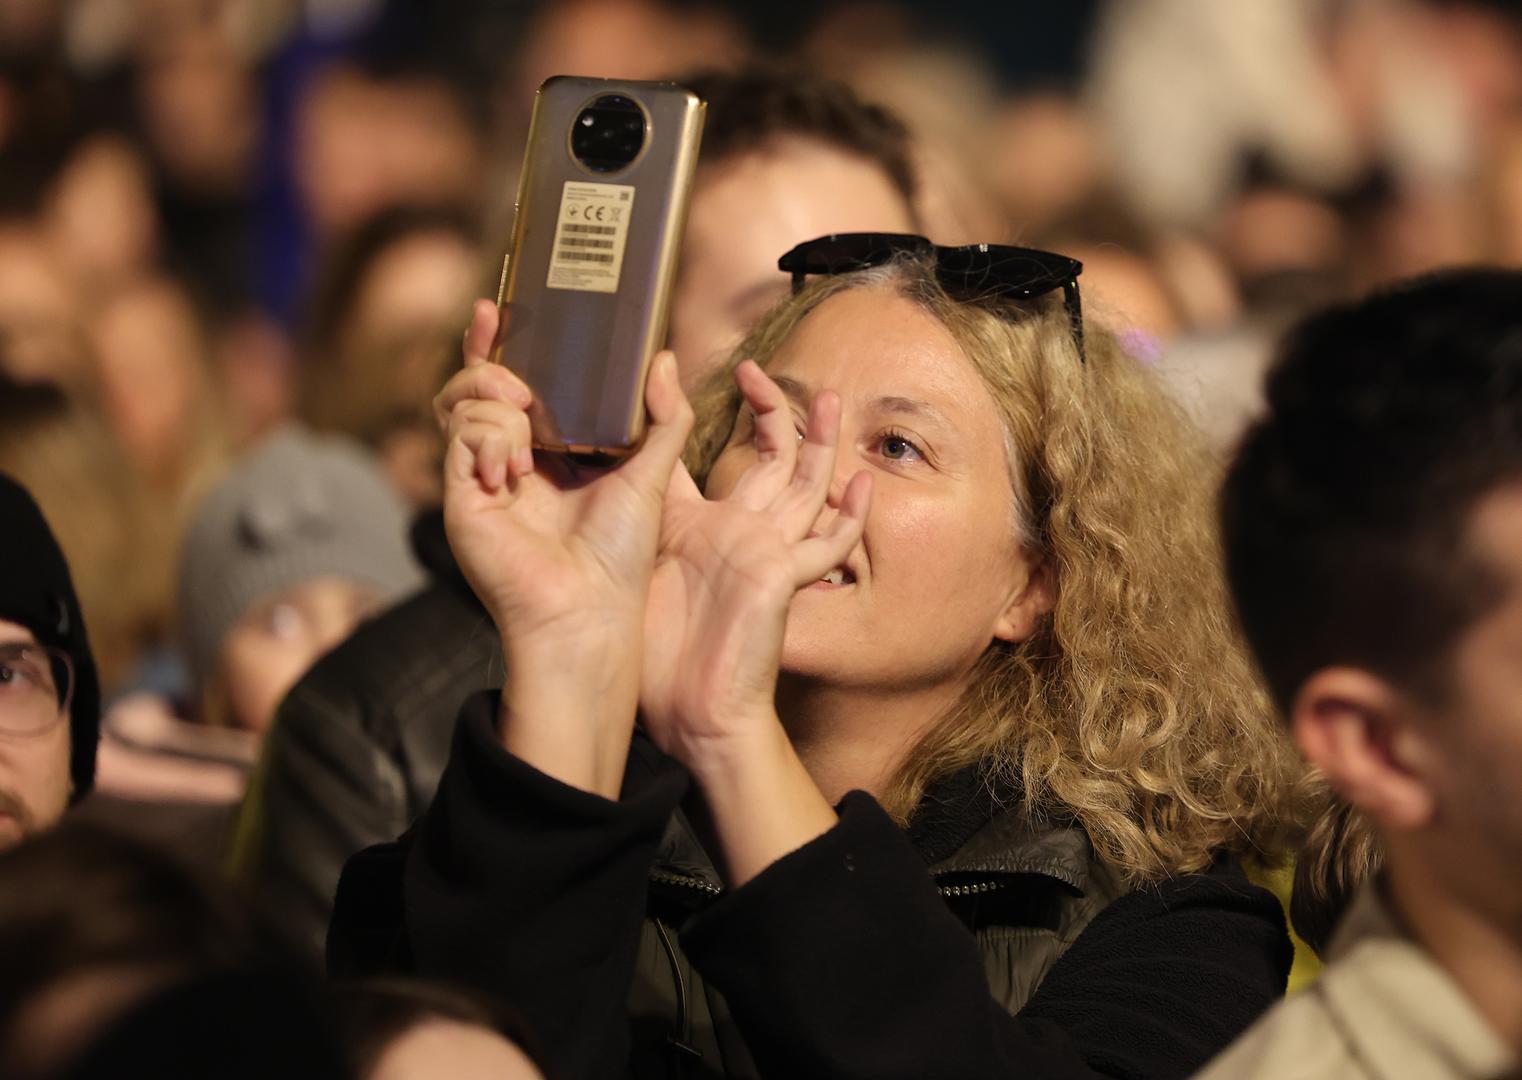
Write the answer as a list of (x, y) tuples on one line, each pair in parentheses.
[(358, 746)]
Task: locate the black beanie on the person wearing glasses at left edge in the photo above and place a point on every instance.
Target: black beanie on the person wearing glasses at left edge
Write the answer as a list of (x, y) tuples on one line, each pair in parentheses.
[(37, 592)]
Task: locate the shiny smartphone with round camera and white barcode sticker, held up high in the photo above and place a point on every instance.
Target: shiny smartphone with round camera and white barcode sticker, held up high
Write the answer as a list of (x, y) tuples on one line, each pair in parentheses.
[(587, 284)]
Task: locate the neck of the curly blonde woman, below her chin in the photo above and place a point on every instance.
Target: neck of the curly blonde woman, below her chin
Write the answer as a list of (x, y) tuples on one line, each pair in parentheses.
[(855, 739)]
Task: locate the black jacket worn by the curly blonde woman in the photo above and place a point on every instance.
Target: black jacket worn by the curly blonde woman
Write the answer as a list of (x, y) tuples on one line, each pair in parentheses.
[(845, 959)]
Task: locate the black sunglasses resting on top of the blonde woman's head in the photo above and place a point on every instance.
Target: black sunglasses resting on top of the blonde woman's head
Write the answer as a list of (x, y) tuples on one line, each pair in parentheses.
[(972, 272)]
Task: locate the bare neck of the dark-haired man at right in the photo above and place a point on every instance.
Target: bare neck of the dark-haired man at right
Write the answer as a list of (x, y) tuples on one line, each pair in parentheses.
[(1479, 947)]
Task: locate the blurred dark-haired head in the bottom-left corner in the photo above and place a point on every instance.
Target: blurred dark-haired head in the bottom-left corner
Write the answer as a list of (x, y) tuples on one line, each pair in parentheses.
[(121, 964)]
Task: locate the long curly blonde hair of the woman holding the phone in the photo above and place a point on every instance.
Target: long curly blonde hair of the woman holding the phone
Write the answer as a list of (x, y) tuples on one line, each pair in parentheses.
[(1135, 708)]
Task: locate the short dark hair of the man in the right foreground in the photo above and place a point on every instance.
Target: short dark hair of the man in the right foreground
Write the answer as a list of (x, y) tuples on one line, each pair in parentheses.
[(1346, 509)]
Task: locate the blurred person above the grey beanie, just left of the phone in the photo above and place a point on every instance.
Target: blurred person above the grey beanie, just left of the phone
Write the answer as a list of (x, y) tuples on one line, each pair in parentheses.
[(381, 331)]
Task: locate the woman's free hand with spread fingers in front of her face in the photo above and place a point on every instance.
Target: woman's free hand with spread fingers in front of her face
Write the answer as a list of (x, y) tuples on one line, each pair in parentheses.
[(718, 614)]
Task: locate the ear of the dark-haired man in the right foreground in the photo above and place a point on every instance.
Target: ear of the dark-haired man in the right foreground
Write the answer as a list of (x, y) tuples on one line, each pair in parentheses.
[(1357, 729)]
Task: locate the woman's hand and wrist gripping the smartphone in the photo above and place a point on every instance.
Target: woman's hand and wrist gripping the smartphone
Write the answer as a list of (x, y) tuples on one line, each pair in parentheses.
[(559, 556)]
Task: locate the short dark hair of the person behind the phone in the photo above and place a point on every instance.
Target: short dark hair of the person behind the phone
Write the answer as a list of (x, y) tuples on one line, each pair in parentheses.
[(760, 103)]
